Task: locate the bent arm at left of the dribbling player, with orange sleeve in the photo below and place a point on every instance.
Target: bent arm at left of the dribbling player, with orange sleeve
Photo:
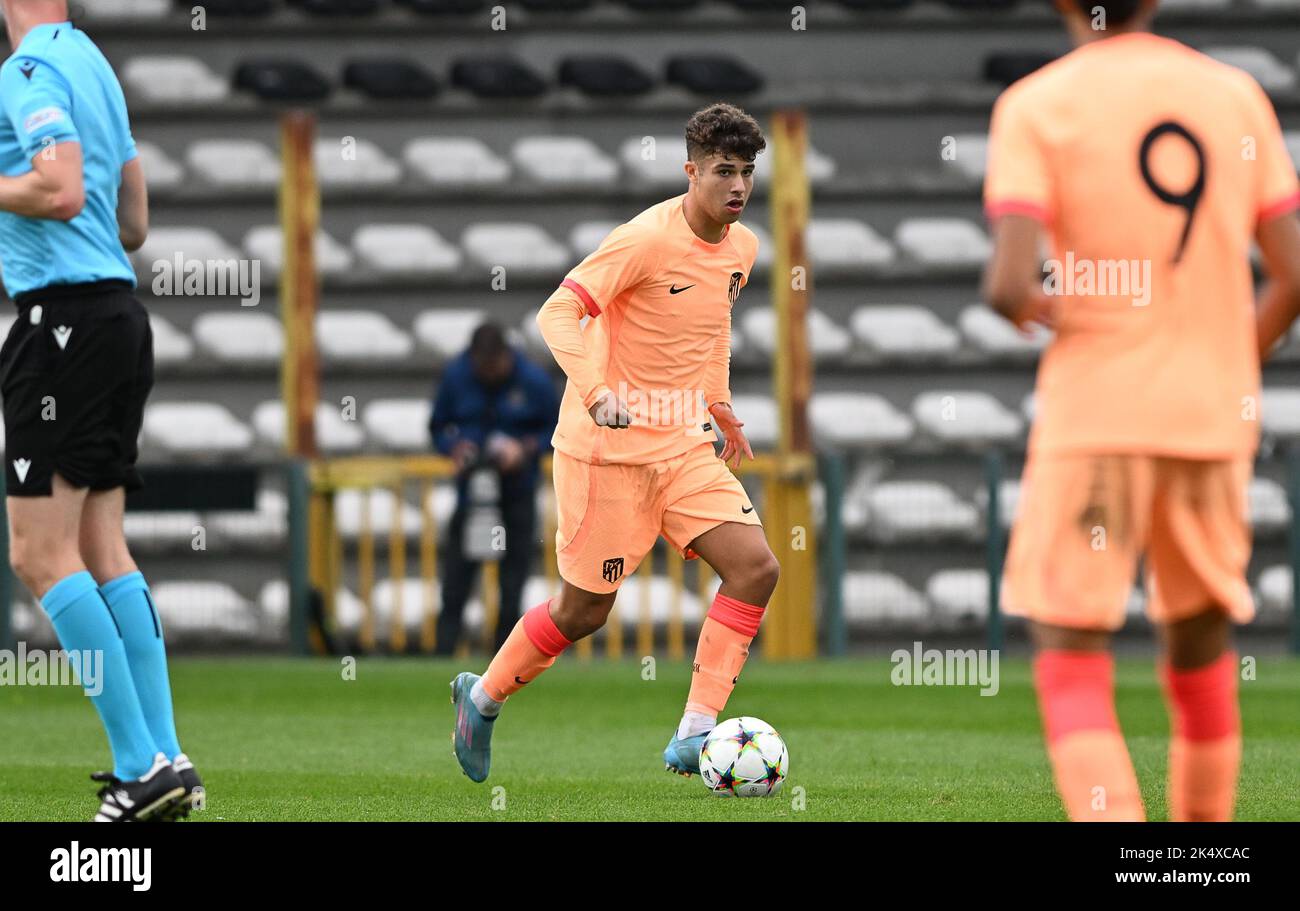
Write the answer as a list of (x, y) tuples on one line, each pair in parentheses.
[(623, 261)]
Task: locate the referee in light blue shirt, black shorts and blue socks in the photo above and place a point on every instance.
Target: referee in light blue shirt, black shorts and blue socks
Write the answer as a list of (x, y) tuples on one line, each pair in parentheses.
[(75, 374)]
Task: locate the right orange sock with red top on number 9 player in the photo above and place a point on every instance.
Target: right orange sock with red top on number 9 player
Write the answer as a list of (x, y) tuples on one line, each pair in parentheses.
[(1206, 748)]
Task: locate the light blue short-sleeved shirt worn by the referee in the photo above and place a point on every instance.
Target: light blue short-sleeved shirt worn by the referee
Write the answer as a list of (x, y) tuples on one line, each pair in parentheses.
[(58, 88)]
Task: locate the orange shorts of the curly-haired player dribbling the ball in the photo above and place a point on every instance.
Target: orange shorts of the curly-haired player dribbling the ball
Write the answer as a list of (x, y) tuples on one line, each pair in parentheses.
[(612, 515)]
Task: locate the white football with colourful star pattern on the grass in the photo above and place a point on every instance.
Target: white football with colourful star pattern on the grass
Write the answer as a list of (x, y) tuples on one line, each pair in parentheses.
[(744, 757)]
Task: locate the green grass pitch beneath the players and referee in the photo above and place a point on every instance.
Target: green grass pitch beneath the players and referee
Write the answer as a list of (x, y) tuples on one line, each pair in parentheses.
[(283, 739)]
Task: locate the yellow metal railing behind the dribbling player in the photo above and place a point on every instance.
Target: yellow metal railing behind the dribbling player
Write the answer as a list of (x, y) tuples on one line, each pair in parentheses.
[(790, 627)]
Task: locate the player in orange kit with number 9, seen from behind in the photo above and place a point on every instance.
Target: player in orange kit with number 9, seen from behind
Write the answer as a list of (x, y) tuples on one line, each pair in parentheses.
[(1154, 167)]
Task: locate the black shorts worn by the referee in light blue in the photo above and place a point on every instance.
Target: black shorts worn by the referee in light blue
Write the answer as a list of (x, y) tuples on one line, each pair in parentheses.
[(75, 374)]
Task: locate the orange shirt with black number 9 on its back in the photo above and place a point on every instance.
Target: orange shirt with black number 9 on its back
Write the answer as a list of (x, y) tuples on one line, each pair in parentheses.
[(1151, 164)]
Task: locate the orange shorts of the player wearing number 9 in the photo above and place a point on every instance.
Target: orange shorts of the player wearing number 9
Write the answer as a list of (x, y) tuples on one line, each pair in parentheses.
[(1085, 520)]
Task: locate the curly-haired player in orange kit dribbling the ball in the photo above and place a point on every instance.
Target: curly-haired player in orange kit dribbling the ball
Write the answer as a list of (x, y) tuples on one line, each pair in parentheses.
[(634, 449)]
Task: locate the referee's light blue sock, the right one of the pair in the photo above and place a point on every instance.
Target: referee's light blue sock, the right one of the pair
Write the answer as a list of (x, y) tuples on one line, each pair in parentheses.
[(142, 635)]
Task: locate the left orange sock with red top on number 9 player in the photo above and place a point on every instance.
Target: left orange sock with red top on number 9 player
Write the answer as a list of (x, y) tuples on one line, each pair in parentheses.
[(1089, 756)]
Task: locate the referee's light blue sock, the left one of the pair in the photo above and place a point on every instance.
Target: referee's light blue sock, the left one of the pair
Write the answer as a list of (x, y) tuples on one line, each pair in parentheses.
[(85, 624)]
